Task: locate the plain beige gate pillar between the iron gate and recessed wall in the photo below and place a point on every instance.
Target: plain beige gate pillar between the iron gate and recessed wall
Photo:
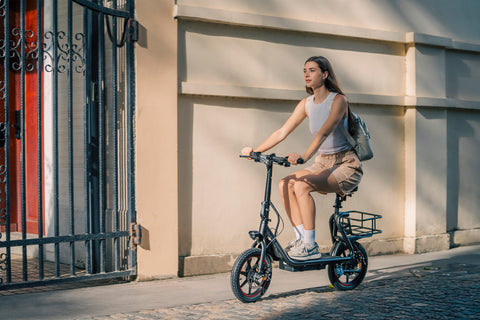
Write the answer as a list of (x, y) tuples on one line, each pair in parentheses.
[(156, 139)]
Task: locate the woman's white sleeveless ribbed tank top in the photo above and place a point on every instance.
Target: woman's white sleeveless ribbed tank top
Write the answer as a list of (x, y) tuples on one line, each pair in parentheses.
[(317, 115)]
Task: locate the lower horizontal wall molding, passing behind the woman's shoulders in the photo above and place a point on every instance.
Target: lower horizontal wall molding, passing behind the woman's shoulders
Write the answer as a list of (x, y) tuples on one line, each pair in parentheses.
[(223, 90)]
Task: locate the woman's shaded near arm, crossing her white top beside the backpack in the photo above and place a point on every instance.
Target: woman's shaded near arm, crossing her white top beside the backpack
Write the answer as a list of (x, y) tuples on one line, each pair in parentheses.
[(337, 113)]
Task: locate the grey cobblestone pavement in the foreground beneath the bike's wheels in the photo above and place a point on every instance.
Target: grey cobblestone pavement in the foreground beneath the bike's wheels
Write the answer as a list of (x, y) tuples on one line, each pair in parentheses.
[(436, 292)]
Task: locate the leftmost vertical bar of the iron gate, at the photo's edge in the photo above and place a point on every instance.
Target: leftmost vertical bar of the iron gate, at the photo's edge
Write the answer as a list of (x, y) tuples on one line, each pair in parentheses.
[(6, 65)]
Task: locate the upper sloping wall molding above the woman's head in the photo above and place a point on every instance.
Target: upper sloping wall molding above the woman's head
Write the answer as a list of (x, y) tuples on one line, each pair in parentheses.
[(194, 13)]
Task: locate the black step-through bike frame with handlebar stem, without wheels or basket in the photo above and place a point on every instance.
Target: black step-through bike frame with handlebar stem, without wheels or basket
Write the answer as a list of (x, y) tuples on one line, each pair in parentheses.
[(266, 238)]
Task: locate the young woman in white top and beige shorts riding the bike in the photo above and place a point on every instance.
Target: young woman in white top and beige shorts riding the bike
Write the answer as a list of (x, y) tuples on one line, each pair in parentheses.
[(336, 168)]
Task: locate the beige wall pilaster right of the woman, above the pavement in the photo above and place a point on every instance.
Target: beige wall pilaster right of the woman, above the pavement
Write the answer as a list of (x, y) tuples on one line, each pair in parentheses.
[(425, 153)]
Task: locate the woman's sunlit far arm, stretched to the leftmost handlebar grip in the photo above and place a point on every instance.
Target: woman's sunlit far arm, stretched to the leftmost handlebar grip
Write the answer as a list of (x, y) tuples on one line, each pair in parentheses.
[(279, 135)]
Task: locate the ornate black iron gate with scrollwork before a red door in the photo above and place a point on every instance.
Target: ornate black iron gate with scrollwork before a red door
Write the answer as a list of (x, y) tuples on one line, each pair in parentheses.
[(67, 201)]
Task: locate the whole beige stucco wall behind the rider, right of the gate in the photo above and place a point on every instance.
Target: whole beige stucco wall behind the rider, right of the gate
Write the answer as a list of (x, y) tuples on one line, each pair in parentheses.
[(408, 67)]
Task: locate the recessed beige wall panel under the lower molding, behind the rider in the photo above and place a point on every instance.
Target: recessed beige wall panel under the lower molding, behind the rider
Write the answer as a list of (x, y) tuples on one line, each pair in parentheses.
[(222, 194)]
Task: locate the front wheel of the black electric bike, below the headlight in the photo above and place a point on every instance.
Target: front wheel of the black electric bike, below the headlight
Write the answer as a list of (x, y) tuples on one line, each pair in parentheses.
[(248, 282)]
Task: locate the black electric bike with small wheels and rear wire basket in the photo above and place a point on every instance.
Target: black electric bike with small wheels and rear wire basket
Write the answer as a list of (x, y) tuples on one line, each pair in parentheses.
[(347, 260)]
